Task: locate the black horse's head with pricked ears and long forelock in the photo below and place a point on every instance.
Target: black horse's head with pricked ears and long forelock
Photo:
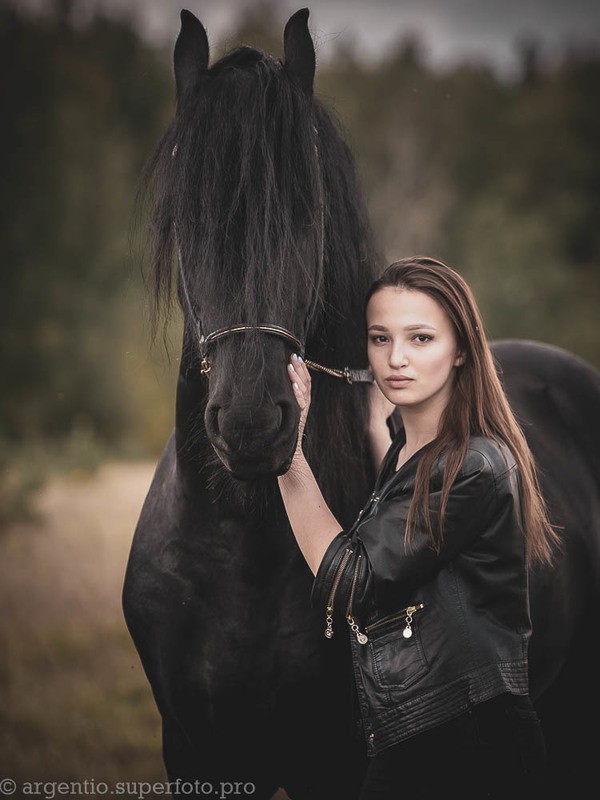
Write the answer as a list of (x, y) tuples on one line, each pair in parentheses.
[(256, 193)]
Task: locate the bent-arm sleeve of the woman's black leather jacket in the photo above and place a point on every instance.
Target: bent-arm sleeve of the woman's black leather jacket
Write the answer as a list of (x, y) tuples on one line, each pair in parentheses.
[(391, 570)]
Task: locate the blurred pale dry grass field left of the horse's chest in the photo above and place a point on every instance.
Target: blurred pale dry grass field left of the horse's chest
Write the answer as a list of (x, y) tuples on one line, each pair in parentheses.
[(75, 702)]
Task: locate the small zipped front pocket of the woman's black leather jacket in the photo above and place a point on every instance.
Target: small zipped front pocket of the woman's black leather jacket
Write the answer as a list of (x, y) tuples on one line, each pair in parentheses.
[(396, 648)]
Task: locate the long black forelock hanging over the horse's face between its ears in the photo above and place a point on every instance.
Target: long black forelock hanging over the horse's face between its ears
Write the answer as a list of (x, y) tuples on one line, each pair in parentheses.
[(244, 194)]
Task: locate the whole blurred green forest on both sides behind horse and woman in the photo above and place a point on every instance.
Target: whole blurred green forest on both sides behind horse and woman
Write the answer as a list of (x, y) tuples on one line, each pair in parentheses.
[(500, 179)]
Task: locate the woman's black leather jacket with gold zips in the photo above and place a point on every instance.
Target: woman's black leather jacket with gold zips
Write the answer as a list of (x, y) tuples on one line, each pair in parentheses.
[(431, 635)]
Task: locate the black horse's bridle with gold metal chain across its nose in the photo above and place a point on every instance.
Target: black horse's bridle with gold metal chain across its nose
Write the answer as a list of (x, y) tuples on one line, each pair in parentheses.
[(204, 341)]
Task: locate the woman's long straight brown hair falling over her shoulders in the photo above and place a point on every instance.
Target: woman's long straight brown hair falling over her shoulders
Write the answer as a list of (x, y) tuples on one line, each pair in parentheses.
[(478, 406)]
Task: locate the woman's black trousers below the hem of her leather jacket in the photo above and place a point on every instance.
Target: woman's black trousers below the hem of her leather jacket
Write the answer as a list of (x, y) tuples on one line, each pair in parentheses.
[(495, 751)]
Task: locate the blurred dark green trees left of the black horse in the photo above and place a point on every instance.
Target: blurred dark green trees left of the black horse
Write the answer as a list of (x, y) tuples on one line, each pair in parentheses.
[(82, 109)]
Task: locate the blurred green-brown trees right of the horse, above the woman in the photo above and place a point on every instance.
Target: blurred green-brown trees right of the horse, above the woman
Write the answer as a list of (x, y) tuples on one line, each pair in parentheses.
[(499, 178)]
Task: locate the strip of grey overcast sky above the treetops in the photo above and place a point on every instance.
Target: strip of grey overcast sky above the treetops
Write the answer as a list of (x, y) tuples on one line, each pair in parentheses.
[(450, 30)]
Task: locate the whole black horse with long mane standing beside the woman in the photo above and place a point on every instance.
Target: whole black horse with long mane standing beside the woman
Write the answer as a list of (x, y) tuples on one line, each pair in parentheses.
[(256, 195)]
